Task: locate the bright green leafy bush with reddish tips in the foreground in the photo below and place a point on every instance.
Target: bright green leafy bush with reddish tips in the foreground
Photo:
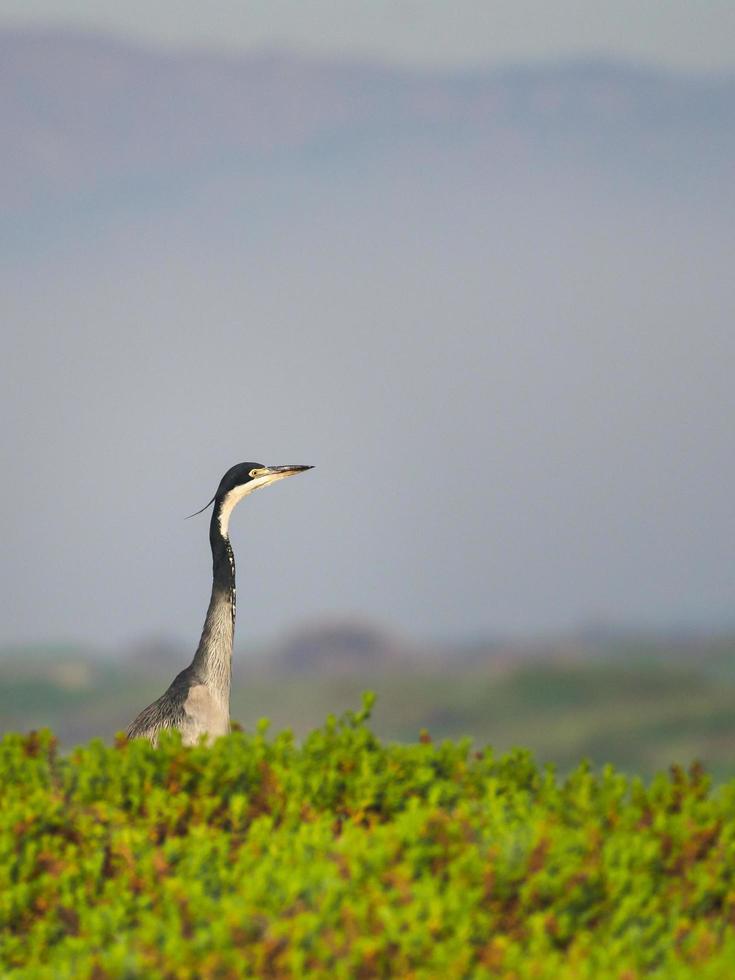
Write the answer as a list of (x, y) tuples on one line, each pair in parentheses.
[(346, 857)]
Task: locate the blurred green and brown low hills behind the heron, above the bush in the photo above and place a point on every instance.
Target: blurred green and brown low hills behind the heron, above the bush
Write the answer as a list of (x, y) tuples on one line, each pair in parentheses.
[(641, 702)]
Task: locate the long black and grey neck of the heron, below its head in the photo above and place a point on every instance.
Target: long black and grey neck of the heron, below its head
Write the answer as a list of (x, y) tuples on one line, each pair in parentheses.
[(213, 659)]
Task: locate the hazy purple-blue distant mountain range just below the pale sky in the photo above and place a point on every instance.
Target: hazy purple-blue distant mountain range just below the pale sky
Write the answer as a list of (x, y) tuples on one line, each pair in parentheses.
[(89, 119)]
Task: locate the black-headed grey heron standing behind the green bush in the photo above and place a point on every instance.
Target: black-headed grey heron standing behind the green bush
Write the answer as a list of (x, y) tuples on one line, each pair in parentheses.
[(197, 702)]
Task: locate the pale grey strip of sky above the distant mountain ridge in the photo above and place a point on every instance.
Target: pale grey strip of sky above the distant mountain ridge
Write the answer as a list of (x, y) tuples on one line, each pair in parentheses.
[(683, 33)]
